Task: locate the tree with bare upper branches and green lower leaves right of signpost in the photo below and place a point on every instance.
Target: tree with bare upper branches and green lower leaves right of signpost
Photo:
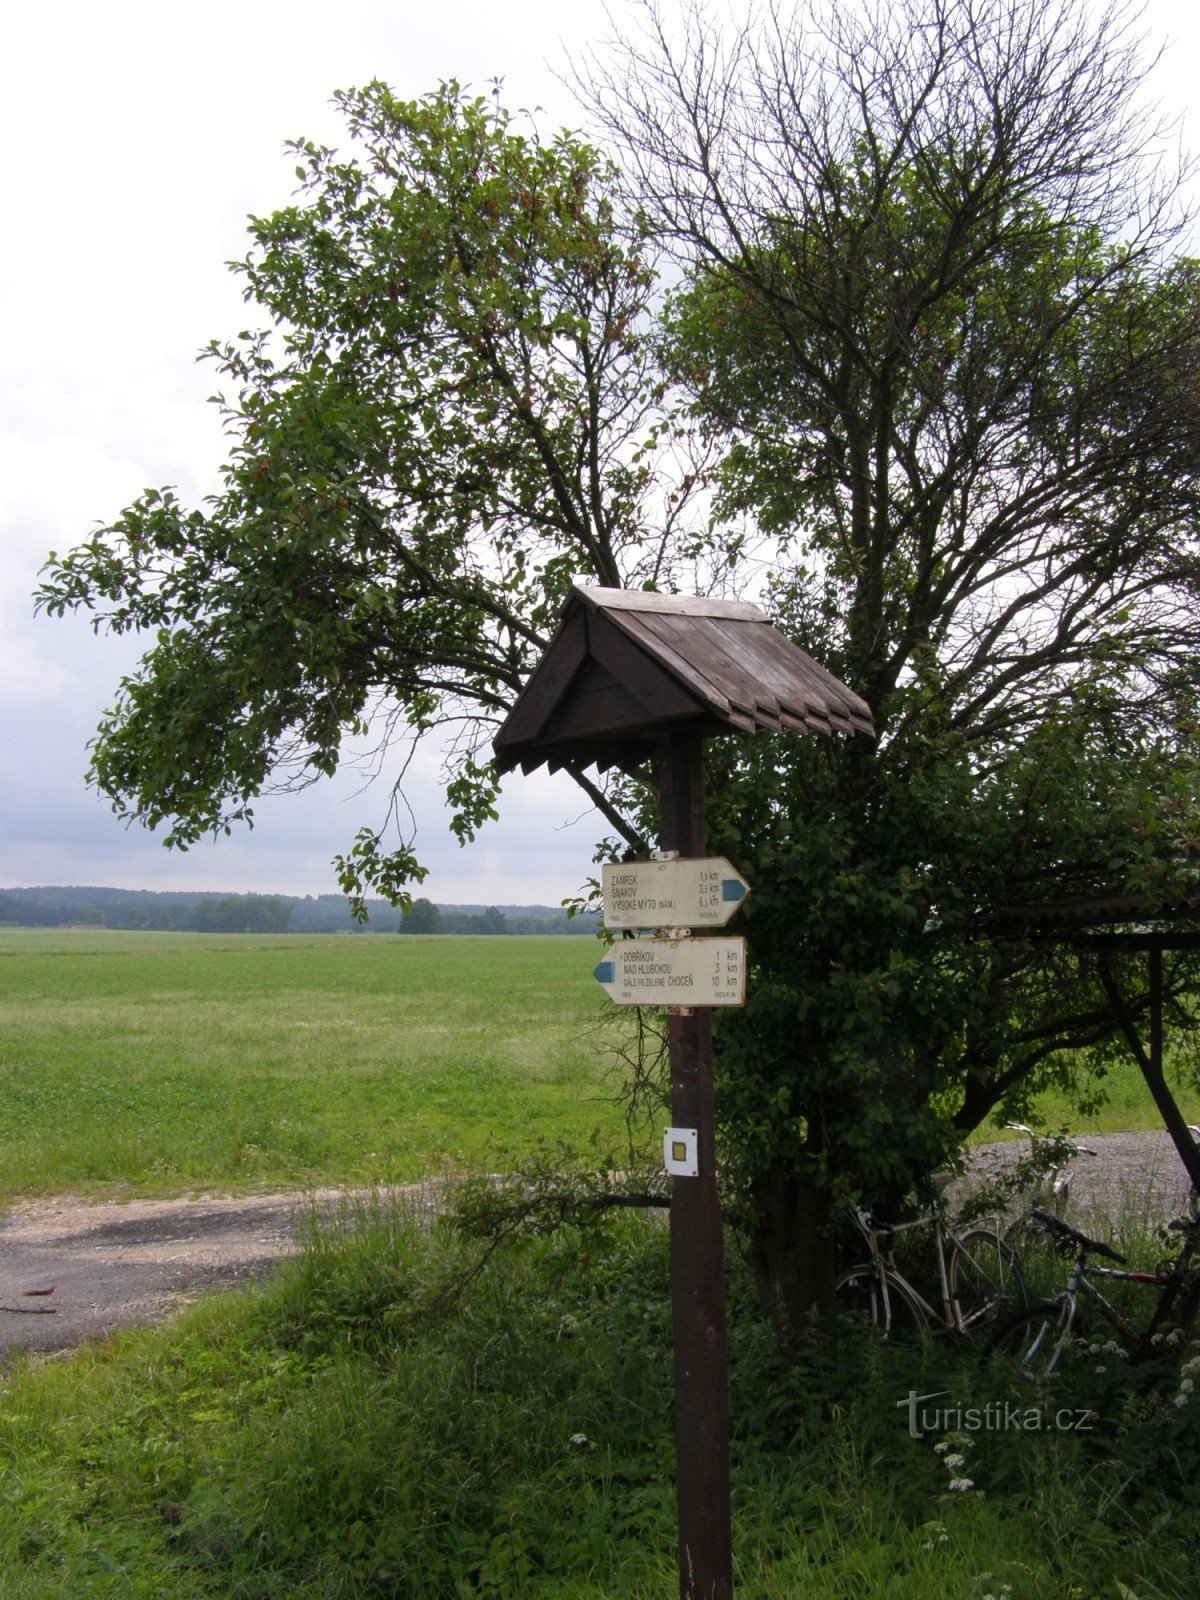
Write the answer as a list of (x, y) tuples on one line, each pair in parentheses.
[(935, 316)]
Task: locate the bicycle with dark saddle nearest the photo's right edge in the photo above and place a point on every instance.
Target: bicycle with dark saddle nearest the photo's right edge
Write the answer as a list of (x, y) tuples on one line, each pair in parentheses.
[(1039, 1337)]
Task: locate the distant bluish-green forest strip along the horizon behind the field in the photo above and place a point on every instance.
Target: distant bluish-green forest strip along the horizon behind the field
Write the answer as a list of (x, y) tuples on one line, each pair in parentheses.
[(196, 913)]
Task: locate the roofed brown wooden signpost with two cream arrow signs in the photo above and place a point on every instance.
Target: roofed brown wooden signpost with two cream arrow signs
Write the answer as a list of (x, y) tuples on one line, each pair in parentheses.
[(634, 679)]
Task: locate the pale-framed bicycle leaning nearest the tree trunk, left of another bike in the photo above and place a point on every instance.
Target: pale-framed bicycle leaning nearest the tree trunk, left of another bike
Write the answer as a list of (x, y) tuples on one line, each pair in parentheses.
[(978, 1279)]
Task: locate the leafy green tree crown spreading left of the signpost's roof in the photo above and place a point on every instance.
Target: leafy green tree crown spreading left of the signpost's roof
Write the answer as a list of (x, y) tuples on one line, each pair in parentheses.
[(439, 426)]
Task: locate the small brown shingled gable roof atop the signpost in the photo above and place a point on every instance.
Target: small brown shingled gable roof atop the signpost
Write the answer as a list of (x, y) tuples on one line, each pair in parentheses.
[(626, 665)]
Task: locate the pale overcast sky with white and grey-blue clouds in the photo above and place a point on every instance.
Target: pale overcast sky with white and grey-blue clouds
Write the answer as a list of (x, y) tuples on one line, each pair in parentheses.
[(137, 138)]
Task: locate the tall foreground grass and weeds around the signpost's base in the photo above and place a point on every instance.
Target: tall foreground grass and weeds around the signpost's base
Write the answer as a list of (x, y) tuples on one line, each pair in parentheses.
[(346, 1433)]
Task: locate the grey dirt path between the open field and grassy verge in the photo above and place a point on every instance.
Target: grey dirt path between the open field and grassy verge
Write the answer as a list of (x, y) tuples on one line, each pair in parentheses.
[(71, 1270)]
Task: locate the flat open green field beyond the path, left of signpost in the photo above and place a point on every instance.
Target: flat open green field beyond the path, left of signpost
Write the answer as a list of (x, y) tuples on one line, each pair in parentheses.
[(178, 1062)]
